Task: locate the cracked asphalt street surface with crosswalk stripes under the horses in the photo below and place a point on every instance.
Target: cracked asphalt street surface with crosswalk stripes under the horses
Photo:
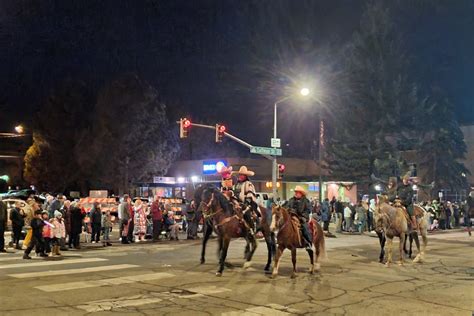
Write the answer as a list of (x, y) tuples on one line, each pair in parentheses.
[(166, 279)]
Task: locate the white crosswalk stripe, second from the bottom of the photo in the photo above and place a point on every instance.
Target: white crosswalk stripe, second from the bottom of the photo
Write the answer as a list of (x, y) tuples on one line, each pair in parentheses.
[(104, 282)]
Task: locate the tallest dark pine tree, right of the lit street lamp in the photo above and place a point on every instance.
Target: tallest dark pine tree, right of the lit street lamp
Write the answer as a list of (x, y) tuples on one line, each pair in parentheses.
[(378, 109)]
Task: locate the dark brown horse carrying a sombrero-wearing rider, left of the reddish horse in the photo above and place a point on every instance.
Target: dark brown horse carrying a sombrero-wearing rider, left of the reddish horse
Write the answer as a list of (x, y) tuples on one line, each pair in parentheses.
[(203, 195)]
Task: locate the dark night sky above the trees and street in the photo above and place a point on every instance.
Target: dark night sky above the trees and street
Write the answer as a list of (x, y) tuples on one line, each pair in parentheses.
[(191, 50)]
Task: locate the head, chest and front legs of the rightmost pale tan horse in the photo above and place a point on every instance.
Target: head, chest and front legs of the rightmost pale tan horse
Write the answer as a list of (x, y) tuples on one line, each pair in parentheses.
[(391, 221)]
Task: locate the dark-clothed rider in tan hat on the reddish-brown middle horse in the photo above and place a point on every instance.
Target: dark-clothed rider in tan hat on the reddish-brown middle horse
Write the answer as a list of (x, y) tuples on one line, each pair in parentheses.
[(301, 207)]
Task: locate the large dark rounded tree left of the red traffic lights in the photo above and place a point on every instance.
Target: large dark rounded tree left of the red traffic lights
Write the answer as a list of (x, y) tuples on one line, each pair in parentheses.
[(131, 139)]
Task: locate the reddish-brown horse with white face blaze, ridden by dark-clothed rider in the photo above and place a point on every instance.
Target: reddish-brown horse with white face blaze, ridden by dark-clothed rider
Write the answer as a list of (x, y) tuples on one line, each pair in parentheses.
[(289, 237)]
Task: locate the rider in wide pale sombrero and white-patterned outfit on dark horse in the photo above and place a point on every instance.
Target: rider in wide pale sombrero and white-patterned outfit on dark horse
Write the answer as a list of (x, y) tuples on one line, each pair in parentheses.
[(245, 192)]
